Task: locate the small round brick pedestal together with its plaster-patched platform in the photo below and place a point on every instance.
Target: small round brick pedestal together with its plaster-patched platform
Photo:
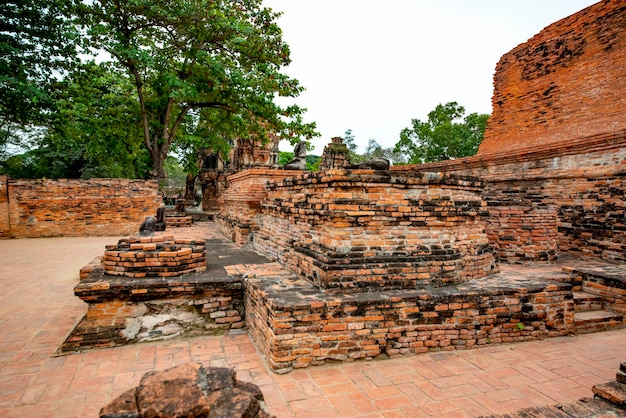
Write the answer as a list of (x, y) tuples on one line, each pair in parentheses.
[(155, 288)]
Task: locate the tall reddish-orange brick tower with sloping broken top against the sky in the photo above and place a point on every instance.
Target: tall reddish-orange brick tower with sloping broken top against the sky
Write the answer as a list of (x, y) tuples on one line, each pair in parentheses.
[(567, 82)]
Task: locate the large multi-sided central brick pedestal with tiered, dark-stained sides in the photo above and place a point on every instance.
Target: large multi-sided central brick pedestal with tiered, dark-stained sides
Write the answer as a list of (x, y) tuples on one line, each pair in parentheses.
[(364, 230)]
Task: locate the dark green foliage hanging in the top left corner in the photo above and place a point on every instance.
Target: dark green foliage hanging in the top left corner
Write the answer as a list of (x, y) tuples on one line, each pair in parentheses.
[(37, 44)]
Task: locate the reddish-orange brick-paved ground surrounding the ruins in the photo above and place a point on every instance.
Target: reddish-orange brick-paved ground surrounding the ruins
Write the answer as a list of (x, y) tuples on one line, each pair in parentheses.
[(38, 309)]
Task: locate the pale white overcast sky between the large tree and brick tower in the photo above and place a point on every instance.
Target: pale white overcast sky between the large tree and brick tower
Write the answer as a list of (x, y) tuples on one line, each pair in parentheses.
[(373, 65)]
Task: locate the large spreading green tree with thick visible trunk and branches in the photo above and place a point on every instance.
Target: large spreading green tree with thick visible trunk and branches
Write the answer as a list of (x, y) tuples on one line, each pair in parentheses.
[(185, 57)]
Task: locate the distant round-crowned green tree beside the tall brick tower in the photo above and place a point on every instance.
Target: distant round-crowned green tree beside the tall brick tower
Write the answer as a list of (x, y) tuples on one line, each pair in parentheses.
[(447, 134)]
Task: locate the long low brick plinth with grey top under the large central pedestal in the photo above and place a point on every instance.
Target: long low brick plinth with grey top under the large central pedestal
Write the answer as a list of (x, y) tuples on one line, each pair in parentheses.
[(296, 325)]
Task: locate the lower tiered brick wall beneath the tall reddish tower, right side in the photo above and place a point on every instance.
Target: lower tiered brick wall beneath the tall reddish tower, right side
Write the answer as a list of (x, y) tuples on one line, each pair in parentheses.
[(566, 199)]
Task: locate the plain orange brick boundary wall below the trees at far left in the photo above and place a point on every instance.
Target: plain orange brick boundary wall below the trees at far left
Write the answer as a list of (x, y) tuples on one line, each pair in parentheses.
[(69, 207)]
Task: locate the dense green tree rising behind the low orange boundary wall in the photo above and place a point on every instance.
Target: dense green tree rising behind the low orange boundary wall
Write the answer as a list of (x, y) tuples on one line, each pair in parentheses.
[(94, 131)]
